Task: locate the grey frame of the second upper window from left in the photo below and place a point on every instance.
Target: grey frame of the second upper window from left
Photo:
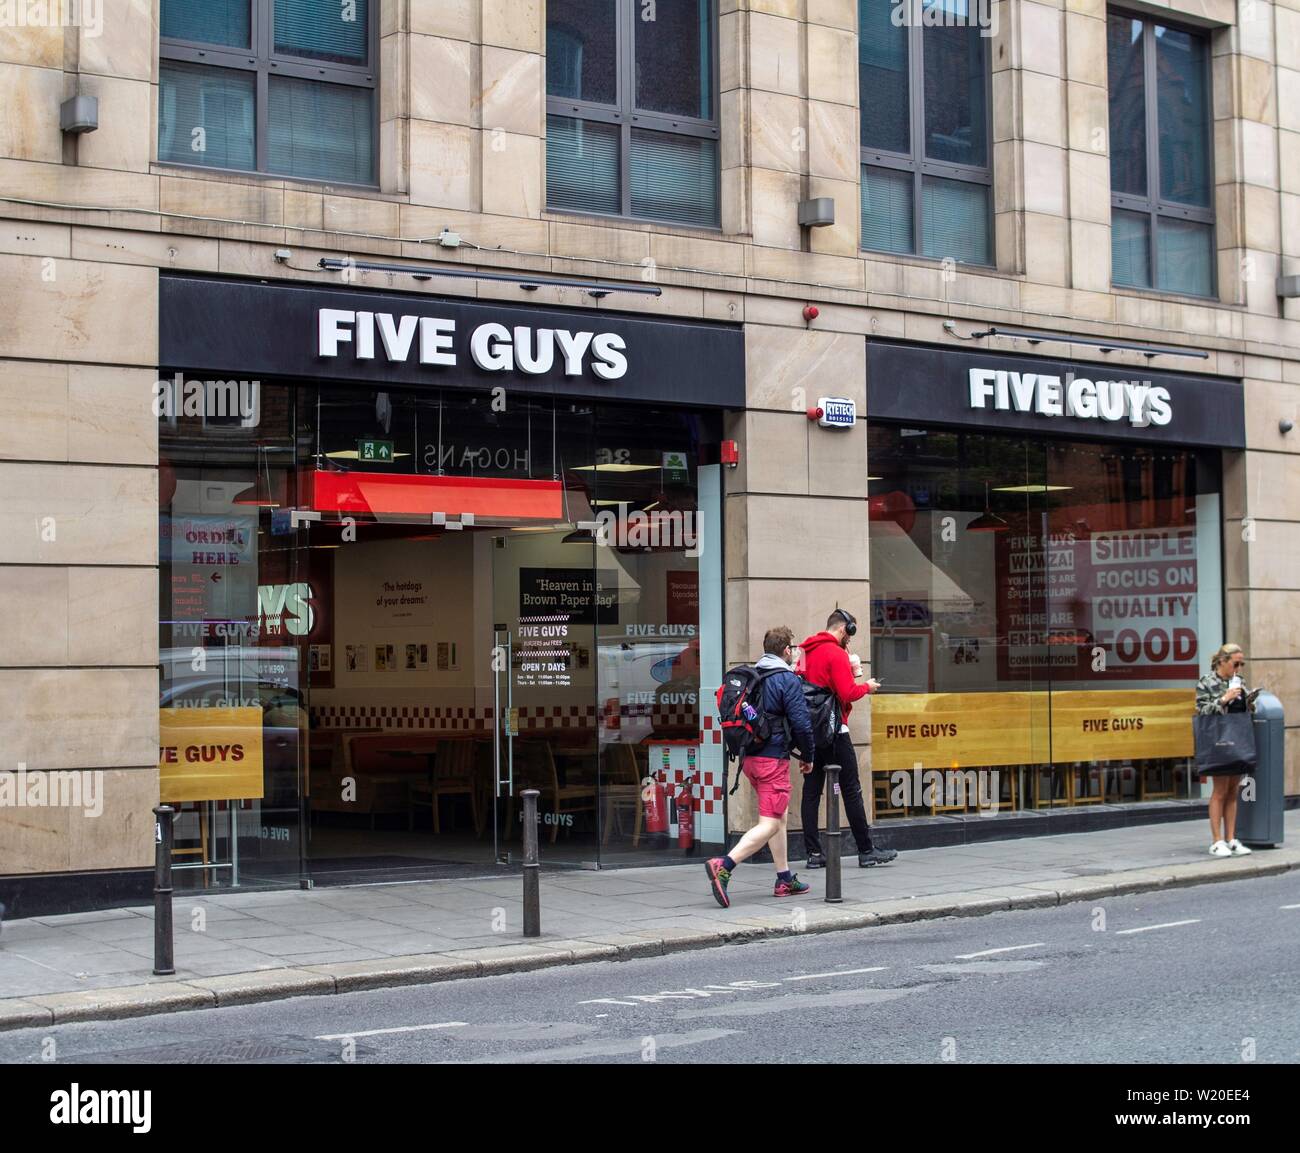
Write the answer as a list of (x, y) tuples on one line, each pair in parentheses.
[(627, 116)]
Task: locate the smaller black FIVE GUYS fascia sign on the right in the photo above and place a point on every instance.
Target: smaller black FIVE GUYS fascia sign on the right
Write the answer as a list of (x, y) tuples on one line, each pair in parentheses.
[(998, 393)]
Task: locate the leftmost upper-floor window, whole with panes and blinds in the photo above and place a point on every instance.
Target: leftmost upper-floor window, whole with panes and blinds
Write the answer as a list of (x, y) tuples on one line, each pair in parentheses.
[(275, 86)]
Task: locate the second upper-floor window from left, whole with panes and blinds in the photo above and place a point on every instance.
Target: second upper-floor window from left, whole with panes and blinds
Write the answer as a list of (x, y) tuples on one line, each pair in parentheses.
[(632, 110)]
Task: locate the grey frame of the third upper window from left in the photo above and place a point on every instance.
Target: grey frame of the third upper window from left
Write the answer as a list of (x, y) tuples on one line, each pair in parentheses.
[(917, 163)]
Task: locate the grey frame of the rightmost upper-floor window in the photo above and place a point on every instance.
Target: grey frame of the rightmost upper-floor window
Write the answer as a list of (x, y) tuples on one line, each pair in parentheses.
[(1154, 206)]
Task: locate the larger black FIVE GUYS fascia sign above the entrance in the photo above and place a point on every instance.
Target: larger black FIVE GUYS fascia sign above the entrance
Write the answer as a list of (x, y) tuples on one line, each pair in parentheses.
[(257, 330)]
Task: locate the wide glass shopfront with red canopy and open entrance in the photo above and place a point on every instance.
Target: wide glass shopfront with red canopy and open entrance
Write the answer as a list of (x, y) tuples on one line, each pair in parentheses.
[(387, 613)]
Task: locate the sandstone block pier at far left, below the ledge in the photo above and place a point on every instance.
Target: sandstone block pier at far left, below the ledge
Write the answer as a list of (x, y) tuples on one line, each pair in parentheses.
[(79, 465)]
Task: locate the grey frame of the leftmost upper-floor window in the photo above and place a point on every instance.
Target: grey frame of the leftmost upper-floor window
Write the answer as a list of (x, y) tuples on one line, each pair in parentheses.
[(262, 59)]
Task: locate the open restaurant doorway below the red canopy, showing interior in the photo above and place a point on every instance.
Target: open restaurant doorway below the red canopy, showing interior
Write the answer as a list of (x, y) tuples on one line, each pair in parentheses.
[(460, 682)]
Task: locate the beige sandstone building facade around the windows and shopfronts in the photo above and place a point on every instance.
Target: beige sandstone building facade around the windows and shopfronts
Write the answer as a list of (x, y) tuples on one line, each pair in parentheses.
[(92, 223)]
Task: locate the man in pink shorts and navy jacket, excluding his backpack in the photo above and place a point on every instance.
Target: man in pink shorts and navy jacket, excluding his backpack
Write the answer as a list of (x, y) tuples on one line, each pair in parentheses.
[(769, 770)]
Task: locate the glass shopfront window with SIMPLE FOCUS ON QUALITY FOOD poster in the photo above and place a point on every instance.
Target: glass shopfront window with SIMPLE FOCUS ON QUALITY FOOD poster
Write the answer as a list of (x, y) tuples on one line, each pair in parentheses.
[(1042, 610)]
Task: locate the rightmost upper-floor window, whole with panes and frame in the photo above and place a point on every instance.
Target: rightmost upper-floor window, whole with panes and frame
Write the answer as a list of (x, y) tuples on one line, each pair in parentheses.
[(1162, 174)]
